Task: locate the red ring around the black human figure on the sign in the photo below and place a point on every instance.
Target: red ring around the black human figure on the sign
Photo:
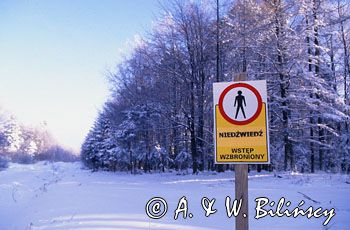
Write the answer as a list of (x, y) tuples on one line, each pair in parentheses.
[(243, 85)]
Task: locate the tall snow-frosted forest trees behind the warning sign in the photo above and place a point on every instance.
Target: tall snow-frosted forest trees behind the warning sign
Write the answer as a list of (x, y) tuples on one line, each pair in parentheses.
[(160, 114)]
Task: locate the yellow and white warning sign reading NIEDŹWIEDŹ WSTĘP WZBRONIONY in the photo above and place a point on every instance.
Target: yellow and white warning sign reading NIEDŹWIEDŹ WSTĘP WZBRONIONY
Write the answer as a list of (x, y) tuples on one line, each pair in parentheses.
[(240, 122)]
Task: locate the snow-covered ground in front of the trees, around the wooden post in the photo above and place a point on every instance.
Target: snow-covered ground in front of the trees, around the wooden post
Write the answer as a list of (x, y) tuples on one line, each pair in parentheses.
[(64, 196)]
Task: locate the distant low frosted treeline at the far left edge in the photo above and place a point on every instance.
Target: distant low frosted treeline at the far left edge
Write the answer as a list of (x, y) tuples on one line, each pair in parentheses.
[(23, 144)]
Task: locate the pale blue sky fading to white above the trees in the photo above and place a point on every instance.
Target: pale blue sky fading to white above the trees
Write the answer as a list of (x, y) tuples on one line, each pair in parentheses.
[(54, 56)]
